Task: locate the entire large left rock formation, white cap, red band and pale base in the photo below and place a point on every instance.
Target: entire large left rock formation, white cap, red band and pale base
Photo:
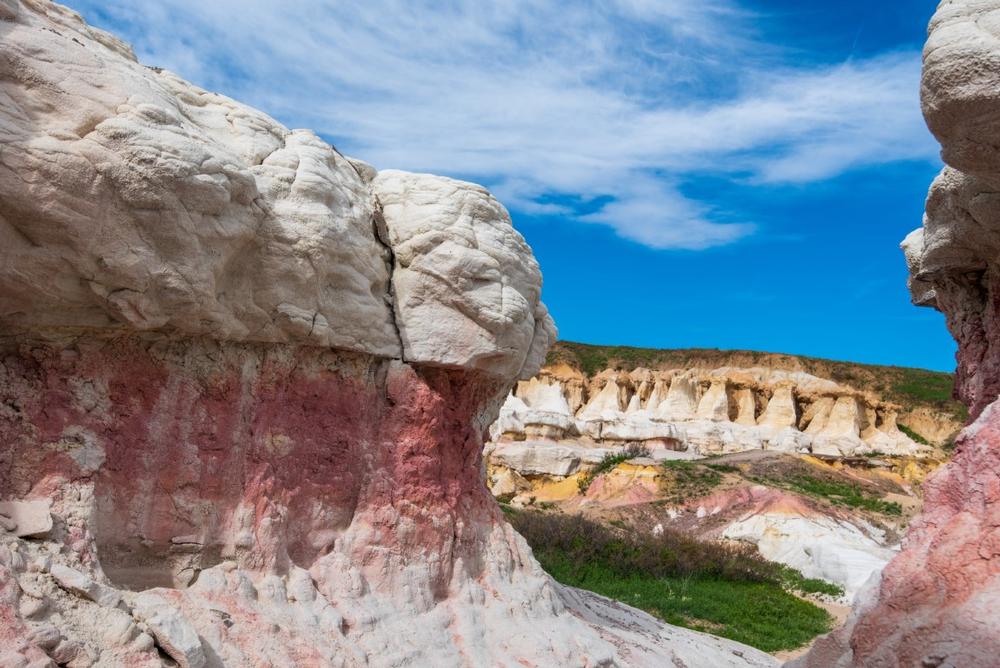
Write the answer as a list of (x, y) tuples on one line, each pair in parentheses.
[(244, 383)]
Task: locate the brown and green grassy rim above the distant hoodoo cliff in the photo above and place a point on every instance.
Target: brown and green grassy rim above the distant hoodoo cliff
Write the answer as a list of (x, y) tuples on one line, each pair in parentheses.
[(908, 387)]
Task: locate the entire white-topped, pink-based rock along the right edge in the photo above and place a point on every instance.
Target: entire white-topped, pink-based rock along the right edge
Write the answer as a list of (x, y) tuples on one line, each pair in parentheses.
[(936, 603)]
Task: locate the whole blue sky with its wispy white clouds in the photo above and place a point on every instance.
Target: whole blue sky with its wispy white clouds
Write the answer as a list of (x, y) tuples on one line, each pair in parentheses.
[(721, 173)]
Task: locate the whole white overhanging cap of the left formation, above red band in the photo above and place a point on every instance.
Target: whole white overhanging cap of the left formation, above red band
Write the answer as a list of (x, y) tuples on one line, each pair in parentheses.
[(133, 199)]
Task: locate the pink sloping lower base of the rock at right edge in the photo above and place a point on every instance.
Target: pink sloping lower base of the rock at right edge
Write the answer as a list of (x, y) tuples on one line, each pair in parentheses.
[(936, 604)]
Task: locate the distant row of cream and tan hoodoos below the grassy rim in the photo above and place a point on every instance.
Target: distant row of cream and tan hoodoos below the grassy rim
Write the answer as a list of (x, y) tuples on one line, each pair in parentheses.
[(700, 412)]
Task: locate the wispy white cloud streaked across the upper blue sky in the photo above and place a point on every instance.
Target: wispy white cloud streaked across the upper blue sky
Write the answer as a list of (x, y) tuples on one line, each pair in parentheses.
[(617, 101)]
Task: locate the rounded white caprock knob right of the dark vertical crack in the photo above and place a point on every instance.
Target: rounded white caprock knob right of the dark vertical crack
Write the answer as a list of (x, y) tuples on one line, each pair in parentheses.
[(466, 285)]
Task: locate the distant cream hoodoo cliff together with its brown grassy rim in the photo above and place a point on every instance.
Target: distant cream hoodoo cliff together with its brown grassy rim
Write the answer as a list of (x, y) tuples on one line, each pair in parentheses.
[(705, 403)]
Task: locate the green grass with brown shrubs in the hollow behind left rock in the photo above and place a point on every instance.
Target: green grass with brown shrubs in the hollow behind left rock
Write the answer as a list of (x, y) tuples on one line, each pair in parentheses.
[(728, 590)]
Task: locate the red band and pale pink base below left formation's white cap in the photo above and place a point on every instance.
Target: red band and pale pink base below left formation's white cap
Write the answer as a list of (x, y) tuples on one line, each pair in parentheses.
[(279, 505)]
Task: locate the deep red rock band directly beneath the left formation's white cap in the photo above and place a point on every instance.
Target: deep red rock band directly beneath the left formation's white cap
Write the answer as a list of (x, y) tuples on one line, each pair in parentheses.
[(221, 450)]
